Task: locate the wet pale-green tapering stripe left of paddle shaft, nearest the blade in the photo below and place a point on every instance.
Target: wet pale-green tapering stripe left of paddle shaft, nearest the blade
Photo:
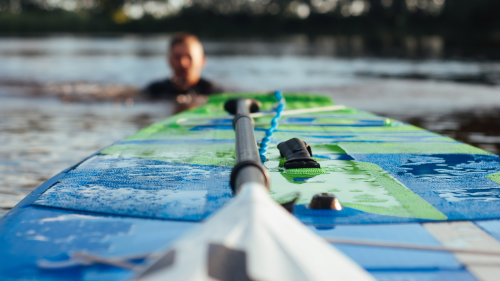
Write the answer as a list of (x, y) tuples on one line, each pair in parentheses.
[(201, 154)]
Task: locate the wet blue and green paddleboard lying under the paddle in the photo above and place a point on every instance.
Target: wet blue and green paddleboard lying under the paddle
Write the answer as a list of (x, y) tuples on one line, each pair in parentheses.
[(415, 205)]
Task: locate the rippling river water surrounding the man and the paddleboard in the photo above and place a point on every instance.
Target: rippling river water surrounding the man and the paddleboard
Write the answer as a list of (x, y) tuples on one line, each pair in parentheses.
[(65, 97)]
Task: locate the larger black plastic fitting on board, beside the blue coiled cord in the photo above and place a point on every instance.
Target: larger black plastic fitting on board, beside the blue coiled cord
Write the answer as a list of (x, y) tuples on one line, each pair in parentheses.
[(298, 154)]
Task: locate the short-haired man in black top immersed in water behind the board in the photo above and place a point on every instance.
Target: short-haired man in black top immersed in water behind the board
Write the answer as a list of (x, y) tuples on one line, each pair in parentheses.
[(186, 86)]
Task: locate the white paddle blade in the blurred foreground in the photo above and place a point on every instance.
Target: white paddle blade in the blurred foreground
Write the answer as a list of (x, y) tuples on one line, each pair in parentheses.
[(253, 238)]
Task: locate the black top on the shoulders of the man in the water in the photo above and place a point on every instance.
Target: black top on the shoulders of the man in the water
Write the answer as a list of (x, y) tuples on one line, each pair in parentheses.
[(165, 89)]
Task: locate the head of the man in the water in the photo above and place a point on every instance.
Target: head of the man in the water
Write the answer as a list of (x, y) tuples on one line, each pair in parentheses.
[(187, 59)]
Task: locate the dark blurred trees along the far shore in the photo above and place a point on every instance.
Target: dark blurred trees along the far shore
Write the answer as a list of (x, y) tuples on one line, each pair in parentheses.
[(459, 19)]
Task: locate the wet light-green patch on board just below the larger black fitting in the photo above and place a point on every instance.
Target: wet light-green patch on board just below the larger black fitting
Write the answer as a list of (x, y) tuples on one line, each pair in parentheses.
[(359, 185)]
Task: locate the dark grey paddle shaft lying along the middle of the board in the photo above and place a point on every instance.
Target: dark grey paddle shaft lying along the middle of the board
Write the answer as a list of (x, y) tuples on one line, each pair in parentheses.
[(248, 167)]
